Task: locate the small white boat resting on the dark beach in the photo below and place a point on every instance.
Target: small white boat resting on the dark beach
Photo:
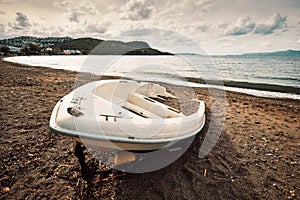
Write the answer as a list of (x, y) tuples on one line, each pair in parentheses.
[(125, 115)]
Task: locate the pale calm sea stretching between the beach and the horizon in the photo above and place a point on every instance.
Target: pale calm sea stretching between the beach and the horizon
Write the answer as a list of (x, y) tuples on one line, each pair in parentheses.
[(268, 76)]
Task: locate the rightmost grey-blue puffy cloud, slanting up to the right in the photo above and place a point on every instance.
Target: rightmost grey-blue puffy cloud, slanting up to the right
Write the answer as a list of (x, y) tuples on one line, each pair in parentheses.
[(275, 22)]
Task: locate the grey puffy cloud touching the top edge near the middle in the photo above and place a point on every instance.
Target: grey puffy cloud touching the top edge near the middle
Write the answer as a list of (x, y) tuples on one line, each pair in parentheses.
[(137, 10)]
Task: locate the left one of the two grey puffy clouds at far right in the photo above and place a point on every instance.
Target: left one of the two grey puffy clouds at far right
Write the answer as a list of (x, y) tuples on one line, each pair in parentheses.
[(243, 26)]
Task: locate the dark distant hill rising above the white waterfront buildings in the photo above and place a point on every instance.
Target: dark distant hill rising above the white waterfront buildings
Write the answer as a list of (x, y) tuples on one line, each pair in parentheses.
[(84, 45)]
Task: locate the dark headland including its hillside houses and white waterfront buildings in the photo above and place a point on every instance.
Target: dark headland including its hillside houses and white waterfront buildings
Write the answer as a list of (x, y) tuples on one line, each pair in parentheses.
[(28, 45)]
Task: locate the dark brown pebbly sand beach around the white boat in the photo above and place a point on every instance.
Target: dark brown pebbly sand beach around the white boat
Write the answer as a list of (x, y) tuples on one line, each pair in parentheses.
[(257, 155)]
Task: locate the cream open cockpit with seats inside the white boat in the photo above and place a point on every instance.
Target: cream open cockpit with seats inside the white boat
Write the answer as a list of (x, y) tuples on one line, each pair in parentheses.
[(140, 100)]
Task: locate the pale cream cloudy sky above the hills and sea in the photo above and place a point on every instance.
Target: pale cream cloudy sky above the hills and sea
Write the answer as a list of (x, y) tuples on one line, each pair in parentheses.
[(214, 27)]
